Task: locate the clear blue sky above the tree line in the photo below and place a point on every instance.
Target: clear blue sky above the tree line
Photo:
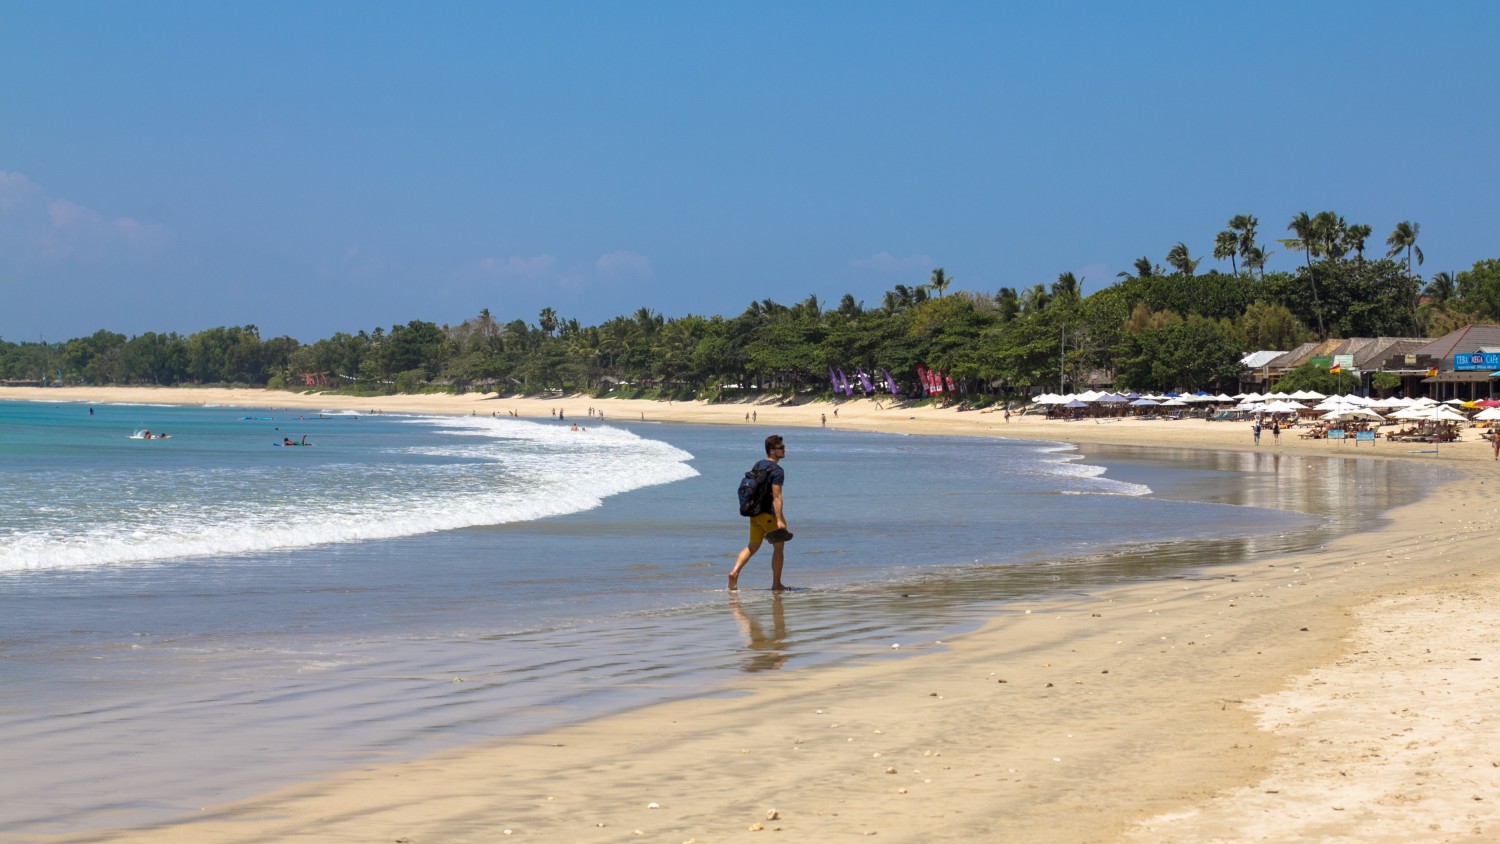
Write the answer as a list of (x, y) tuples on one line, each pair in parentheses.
[(332, 167)]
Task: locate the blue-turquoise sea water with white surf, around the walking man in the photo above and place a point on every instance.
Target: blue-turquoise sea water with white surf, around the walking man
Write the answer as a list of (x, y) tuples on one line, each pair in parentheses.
[(304, 611)]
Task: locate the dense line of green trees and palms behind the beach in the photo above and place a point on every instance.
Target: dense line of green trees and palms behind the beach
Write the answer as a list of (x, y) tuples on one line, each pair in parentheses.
[(1154, 329)]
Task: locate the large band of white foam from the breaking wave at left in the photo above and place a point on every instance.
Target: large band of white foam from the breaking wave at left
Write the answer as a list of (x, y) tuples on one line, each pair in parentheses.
[(494, 473)]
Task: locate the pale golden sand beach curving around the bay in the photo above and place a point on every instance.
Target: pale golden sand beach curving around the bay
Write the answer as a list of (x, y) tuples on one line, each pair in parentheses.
[(1348, 695)]
